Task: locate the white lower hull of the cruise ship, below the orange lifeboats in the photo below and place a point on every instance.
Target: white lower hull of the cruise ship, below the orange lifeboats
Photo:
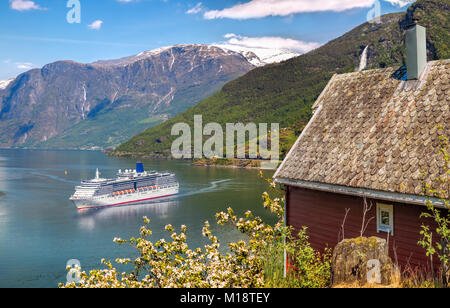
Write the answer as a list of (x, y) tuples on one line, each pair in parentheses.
[(124, 199)]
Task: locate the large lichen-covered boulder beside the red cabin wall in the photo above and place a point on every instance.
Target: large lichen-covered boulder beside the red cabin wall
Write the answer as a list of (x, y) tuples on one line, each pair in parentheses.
[(362, 260)]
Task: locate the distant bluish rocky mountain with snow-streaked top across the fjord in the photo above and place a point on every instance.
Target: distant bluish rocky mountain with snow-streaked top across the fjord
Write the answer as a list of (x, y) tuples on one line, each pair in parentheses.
[(70, 105)]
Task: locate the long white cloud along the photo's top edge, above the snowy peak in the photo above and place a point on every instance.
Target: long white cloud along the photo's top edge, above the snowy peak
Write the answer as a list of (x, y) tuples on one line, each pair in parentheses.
[(264, 8)]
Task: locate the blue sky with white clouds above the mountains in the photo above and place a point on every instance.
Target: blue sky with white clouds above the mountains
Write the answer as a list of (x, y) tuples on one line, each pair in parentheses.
[(38, 32)]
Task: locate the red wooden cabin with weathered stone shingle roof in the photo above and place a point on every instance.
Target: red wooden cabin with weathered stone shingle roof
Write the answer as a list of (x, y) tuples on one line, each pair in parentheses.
[(372, 135)]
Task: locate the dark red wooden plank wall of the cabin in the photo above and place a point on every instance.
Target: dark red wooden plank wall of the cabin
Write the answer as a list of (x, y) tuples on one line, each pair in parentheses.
[(323, 214)]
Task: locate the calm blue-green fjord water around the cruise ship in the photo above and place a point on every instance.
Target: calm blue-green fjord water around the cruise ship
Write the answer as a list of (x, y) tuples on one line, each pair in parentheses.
[(40, 229)]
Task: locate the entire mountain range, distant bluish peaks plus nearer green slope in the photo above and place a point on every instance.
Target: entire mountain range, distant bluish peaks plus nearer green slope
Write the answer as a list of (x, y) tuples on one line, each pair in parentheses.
[(70, 105)]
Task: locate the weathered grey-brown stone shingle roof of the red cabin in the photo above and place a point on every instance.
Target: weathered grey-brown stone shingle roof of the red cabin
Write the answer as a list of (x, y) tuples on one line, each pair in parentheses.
[(374, 131)]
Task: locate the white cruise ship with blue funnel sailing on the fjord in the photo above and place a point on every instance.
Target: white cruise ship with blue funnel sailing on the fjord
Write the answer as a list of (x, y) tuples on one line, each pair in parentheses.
[(130, 186)]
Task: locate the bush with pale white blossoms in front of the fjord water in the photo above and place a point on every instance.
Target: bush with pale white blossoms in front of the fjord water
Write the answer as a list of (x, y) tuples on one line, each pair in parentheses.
[(172, 264)]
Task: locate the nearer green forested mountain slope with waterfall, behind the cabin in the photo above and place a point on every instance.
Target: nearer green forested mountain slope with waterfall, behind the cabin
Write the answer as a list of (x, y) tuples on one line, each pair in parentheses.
[(284, 92)]
